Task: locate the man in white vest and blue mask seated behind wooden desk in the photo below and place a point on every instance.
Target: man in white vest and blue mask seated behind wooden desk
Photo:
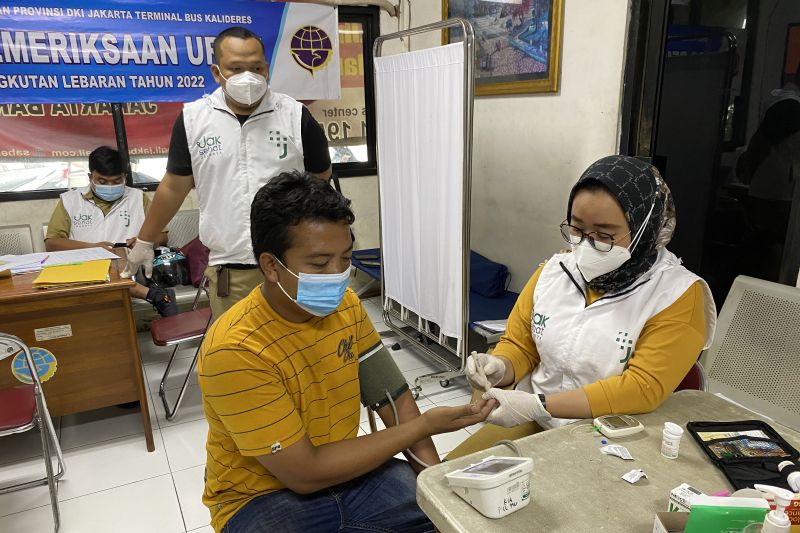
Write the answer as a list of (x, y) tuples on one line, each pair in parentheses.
[(103, 214)]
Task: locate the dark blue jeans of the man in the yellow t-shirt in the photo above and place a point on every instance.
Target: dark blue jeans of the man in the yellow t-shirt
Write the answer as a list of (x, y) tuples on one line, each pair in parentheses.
[(383, 500)]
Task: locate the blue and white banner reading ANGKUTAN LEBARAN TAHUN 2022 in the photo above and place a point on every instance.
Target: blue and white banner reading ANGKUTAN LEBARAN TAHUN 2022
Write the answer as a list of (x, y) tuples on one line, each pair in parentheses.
[(87, 51)]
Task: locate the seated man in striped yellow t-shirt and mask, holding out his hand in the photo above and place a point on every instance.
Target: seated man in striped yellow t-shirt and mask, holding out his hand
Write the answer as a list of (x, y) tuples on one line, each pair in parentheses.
[(282, 372)]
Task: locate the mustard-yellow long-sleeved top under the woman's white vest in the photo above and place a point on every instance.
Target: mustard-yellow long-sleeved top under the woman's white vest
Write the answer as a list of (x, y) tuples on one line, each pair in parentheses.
[(668, 346)]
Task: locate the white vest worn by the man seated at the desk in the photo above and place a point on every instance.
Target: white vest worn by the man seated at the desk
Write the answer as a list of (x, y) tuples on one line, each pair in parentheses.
[(88, 224)]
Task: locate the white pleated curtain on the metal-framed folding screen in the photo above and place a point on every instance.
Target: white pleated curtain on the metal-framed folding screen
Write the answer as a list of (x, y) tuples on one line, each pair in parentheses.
[(420, 111)]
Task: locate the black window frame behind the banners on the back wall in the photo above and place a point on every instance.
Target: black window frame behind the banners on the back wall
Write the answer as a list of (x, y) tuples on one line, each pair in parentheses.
[(368, 17)]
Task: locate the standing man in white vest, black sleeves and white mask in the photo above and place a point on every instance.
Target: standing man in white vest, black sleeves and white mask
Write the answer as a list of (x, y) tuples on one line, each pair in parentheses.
[(227, 145)]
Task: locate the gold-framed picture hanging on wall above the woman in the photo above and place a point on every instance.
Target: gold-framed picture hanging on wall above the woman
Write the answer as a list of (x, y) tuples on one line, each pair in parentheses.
[(517, 43)]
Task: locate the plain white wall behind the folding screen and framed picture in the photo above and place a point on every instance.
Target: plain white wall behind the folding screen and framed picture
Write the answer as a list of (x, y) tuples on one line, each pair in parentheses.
[(530, 149)]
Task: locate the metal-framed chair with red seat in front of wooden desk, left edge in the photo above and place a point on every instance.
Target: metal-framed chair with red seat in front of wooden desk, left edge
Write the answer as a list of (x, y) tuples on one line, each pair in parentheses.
[(23, 408)]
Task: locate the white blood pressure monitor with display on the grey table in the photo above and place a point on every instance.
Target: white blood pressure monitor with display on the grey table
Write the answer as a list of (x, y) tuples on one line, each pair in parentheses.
[(496, 487)]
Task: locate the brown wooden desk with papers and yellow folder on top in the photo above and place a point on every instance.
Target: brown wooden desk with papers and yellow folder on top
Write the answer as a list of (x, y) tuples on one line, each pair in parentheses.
[(99, 364)]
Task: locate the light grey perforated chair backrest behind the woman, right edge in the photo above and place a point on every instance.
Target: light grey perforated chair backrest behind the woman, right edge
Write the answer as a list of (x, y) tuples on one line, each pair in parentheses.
[(756, 350)]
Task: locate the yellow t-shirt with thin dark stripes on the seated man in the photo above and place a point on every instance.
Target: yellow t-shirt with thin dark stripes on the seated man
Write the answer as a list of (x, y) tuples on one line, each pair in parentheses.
[(267, 382)]
